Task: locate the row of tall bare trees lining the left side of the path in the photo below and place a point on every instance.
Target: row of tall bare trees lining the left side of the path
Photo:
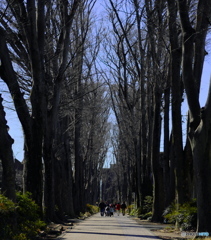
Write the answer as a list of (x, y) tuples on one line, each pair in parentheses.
[(48, 53)]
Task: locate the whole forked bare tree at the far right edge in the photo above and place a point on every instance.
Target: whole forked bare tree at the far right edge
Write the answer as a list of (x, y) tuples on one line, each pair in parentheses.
[(194, 32)]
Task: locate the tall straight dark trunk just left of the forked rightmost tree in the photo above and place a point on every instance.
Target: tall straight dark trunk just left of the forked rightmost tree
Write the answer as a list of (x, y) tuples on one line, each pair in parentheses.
[(175, 64)]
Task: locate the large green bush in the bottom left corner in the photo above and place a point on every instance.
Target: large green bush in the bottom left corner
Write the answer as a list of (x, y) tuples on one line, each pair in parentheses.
[(20, 220)]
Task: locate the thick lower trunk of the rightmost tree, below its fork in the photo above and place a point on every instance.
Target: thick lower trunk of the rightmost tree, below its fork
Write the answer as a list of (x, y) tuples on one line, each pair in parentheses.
[(201, 145)]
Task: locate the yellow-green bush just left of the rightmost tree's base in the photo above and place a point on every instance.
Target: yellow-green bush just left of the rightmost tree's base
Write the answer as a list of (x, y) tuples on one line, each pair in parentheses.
[(185, 216)]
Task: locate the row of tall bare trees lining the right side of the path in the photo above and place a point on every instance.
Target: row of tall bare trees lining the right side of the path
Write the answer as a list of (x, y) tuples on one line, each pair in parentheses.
[(155, 58)]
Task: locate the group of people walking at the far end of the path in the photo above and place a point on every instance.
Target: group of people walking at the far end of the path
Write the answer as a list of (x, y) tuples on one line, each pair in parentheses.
[(107, 209)]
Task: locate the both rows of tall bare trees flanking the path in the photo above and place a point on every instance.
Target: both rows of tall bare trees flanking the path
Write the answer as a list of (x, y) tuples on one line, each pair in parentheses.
[(151, 54)]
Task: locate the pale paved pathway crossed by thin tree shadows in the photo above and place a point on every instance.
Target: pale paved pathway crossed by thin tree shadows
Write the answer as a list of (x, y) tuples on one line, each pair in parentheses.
[(108, 228)]
